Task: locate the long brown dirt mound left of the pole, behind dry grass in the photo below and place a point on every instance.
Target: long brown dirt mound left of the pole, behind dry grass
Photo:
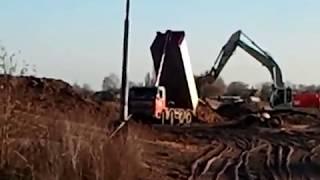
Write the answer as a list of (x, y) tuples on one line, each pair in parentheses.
[(53, 98)]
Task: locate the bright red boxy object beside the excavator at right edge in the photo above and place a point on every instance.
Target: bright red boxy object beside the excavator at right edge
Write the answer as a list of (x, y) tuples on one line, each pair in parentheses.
[(307, 99)]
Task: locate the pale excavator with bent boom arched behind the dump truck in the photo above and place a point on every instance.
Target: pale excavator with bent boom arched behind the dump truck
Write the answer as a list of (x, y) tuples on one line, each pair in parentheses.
[(281, 95)]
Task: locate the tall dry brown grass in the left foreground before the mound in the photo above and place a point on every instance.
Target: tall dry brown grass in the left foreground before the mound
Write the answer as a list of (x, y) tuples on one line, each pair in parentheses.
[(37, 147)]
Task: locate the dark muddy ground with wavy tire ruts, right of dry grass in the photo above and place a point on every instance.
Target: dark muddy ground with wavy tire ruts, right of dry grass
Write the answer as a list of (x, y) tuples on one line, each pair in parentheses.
[(231, 153)]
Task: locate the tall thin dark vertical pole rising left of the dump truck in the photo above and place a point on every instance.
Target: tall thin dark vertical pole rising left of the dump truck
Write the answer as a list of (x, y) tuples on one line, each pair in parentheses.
[(124, 87)]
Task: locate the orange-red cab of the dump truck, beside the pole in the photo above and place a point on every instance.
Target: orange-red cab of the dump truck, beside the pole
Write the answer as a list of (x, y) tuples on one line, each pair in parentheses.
[(146, 102)]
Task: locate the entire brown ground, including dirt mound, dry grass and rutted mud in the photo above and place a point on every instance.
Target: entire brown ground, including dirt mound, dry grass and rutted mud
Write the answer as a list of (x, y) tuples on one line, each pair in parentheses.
[(50, 131)]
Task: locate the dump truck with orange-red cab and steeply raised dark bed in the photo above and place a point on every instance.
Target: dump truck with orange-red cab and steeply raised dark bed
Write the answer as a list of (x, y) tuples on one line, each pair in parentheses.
[(173, 97)]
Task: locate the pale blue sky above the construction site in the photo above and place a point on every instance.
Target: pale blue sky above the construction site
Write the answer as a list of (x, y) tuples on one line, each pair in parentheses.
[(81, 41)]
